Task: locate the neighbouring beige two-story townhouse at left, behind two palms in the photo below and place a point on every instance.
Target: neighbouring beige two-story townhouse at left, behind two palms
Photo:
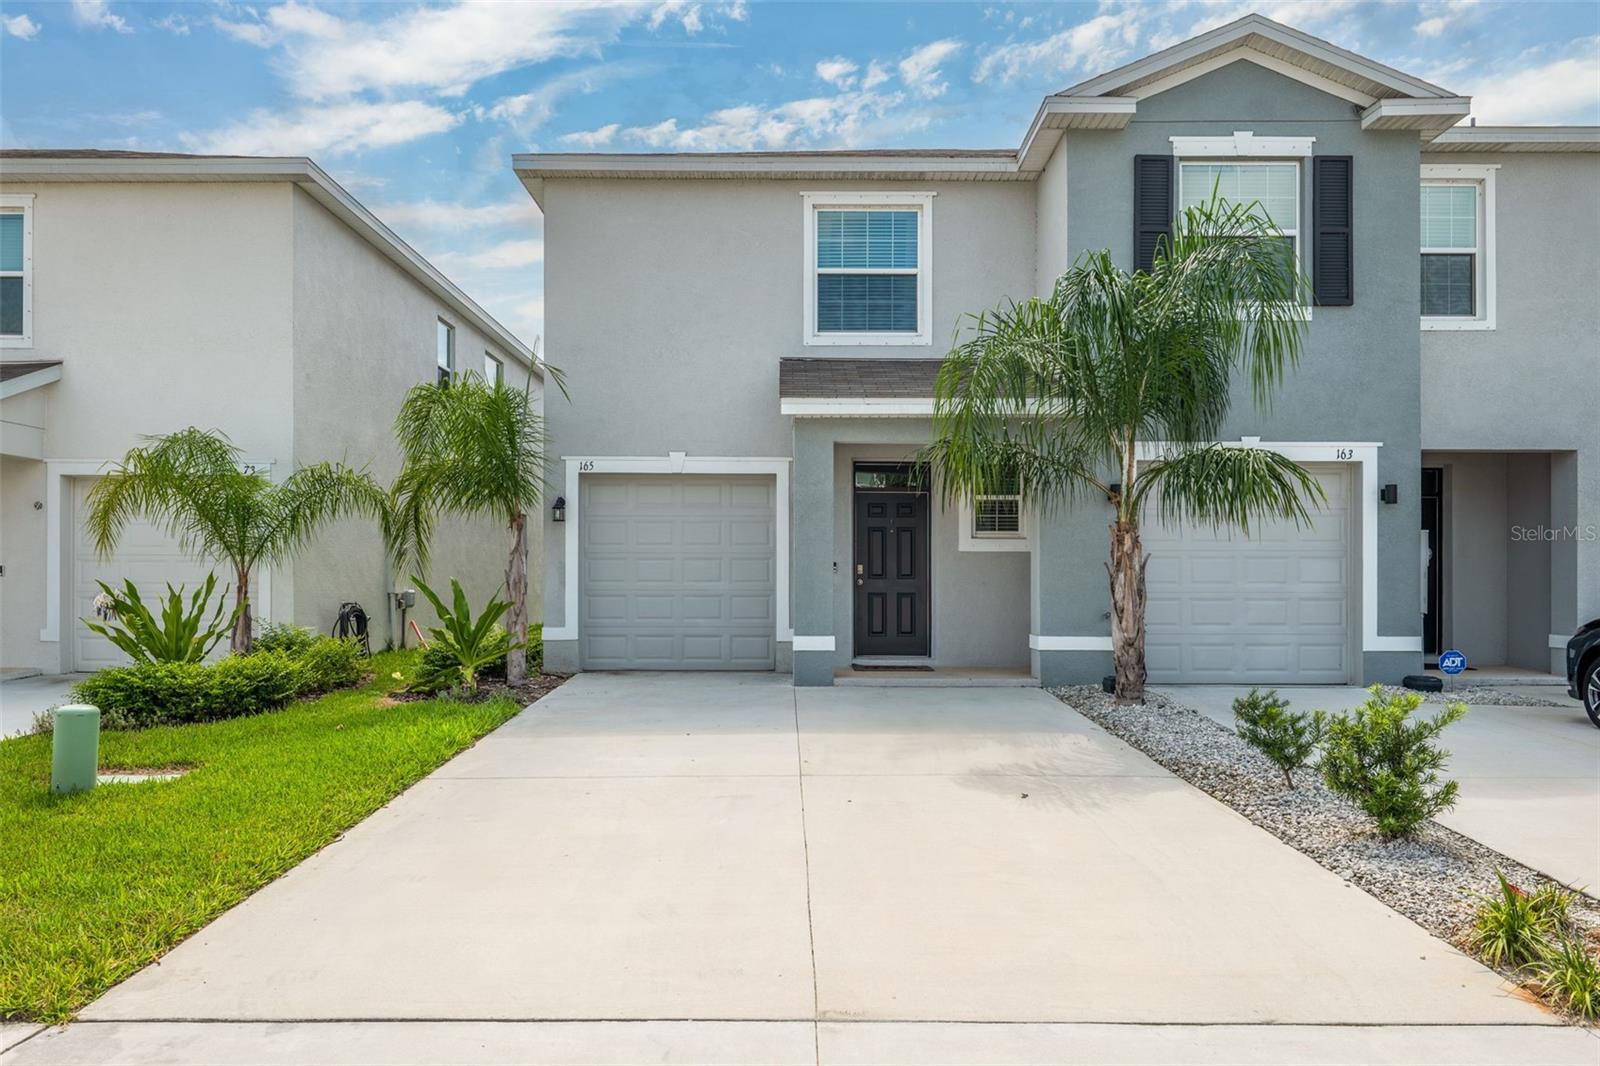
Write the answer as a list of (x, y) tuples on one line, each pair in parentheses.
[(145, 294)]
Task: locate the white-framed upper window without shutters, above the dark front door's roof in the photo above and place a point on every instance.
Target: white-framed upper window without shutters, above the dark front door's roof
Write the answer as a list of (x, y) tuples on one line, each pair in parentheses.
[(868, 273)]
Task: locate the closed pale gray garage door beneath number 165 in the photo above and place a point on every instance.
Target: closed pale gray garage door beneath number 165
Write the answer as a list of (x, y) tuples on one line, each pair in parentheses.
[(678, 572)]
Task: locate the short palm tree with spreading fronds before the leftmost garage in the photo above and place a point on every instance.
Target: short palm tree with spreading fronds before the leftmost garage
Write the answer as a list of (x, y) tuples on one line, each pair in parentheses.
[(193, 484)]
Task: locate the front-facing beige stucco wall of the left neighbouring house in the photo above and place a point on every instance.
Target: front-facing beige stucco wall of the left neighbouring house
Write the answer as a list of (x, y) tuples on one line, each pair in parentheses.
[(169, 307)]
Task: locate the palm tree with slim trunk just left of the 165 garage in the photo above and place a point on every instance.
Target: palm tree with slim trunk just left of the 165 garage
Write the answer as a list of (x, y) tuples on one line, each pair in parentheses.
[(470, 447)]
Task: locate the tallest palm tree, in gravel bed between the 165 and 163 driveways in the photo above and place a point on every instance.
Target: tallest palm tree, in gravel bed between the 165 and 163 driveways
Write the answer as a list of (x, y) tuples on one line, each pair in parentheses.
[(1116, 388)]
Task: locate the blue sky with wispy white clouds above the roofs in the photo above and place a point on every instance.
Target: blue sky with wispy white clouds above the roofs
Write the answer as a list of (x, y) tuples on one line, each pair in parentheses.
[(418, 108)]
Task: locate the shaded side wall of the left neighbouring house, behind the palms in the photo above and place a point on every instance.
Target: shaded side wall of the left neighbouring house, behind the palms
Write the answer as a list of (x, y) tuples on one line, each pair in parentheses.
[(366, 334)]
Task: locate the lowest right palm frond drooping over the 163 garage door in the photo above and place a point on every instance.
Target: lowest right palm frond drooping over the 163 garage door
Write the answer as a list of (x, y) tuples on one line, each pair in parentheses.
[(1226, 486)]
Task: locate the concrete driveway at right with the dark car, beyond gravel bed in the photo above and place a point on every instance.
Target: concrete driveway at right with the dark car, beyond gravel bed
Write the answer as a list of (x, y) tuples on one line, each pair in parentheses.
[(1530, 777)]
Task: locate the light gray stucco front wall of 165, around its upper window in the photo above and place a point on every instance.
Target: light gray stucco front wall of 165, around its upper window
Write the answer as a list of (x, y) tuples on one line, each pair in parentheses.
[(670, 303)]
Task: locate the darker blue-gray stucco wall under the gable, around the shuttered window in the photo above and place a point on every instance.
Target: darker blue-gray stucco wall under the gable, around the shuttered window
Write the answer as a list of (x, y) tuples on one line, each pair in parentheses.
[(1359, 379)]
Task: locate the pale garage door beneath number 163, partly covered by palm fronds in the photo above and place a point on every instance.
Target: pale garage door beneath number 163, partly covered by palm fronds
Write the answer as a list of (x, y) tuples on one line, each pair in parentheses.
[(1271, 611)]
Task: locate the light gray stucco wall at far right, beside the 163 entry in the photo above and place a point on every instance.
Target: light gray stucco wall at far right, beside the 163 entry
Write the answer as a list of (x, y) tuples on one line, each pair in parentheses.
[(1534, 383)]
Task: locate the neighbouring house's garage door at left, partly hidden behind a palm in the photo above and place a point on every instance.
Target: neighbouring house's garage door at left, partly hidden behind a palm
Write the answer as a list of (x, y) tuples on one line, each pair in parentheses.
[(146, 556)]
